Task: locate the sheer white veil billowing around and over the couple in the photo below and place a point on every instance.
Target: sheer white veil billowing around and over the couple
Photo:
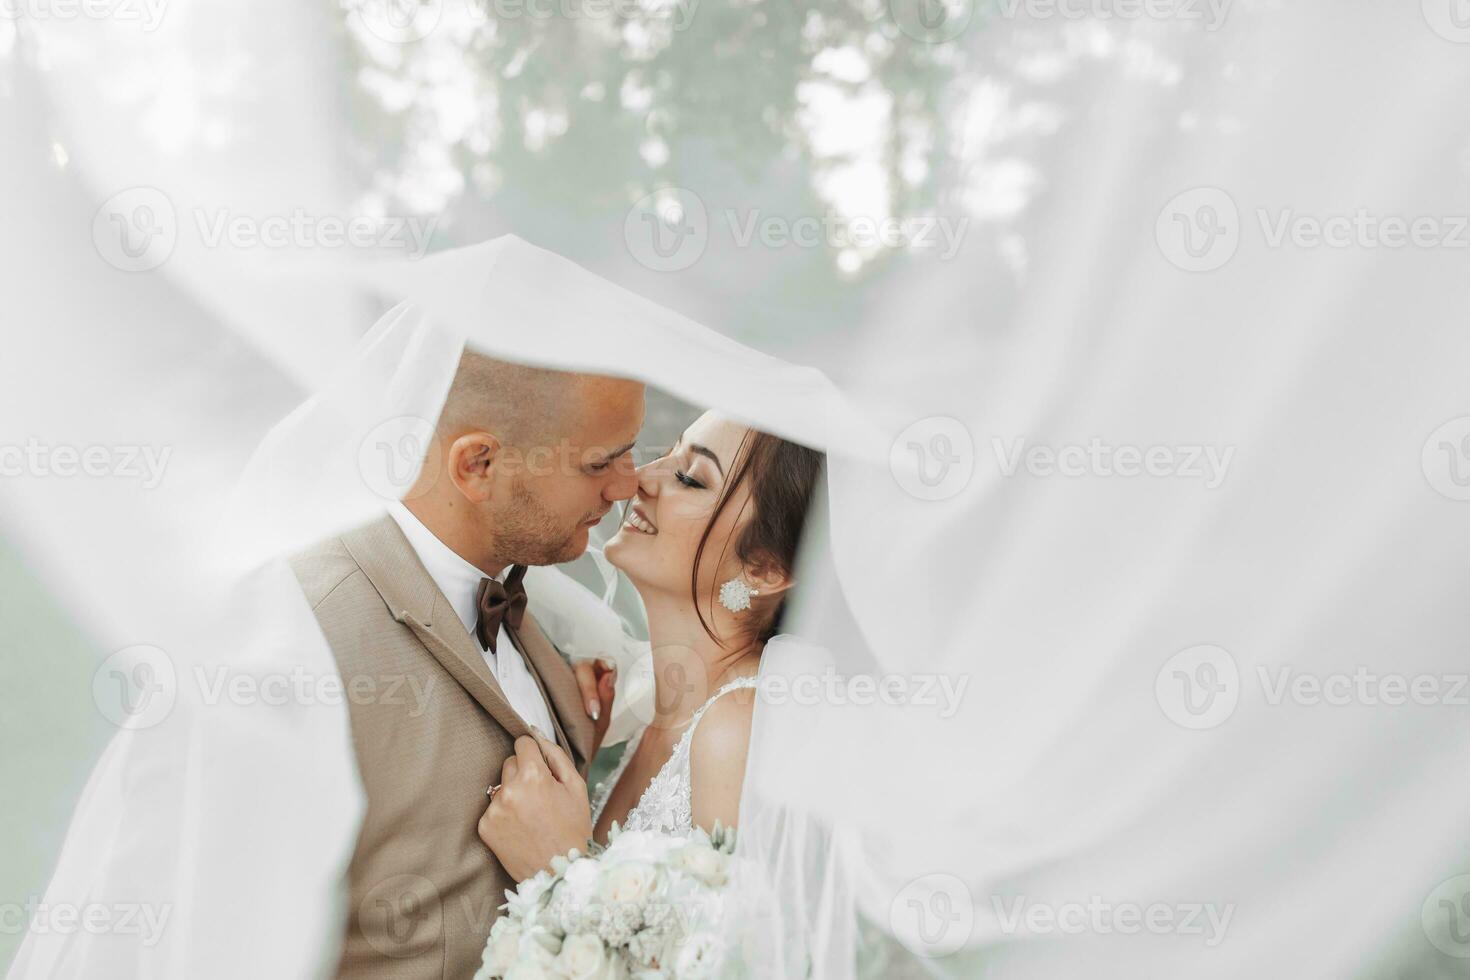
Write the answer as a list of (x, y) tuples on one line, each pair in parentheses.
[(1209, 721)]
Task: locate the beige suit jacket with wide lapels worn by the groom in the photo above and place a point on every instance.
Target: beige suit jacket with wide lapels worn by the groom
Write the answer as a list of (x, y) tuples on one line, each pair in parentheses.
[(431, 729)]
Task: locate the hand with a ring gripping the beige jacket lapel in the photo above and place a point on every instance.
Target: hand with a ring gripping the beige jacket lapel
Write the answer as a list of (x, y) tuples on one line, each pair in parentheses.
[(540, 810)]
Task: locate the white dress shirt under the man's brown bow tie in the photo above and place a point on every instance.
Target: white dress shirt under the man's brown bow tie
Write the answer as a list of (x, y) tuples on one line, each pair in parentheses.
[(459, 583)]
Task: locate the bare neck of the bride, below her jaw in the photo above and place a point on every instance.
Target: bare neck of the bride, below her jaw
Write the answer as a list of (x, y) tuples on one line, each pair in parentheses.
[(689, 665)]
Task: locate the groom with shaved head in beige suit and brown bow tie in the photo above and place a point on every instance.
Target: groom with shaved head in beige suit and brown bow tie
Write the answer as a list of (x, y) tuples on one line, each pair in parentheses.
[(429, 599)]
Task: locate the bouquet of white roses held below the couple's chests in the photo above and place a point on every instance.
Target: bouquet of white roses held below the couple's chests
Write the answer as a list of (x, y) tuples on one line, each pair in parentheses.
[(646, 907)]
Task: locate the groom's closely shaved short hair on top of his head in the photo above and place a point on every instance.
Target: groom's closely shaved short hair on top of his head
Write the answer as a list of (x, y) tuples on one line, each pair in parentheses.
[(523, 406)]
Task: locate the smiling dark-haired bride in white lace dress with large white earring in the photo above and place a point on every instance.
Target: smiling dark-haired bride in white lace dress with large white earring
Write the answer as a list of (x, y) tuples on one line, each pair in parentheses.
[(711, 543)]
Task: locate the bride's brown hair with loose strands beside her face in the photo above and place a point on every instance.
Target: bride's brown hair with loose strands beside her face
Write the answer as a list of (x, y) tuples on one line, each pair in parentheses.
[(783, 480)]
